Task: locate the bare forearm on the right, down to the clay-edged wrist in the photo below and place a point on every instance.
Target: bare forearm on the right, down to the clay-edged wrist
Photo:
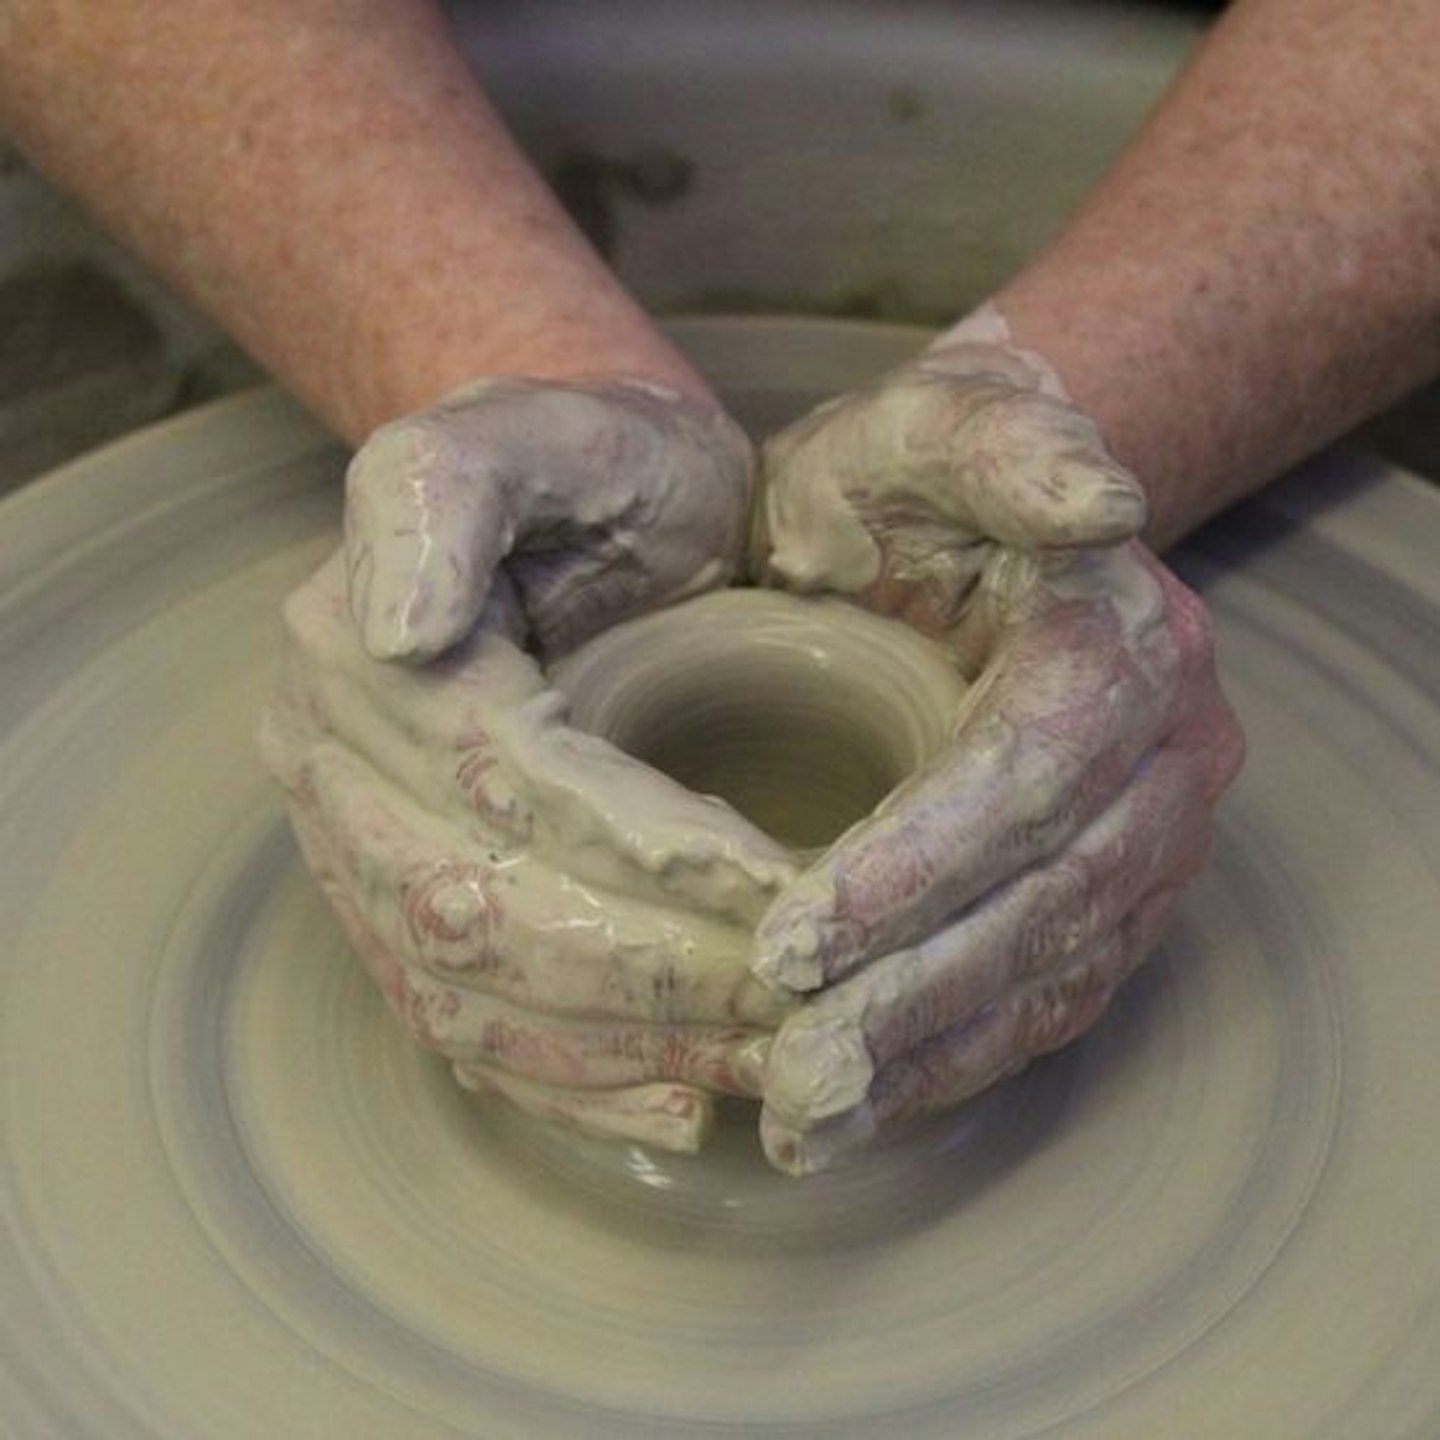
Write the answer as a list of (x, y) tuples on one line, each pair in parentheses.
[(1262, 270)]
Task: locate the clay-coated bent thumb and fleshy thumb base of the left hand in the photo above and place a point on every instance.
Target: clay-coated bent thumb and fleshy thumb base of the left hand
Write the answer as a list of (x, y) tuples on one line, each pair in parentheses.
[(597, 500)]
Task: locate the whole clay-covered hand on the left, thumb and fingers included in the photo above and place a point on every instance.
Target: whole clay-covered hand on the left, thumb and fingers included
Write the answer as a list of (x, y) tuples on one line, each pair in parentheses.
[(562, 924)]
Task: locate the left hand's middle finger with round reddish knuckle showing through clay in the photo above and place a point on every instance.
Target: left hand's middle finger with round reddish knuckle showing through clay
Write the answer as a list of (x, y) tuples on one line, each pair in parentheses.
[(506, 925)]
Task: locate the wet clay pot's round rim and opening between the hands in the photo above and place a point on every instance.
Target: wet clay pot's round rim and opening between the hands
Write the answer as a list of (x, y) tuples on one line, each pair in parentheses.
[(801, 715)]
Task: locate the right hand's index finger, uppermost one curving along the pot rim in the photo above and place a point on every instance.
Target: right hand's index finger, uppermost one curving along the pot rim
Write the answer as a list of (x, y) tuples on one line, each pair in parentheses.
[(1048, 737)]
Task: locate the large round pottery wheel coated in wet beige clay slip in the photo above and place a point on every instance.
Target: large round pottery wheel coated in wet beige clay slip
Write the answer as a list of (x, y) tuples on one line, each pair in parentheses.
[(237, 1203)]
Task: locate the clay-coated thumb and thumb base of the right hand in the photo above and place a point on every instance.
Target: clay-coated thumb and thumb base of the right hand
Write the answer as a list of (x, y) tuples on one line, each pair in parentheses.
[(899, 485)]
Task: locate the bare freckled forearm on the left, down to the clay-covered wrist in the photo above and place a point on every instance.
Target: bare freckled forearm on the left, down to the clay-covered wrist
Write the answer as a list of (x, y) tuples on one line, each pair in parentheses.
[(328, 181)]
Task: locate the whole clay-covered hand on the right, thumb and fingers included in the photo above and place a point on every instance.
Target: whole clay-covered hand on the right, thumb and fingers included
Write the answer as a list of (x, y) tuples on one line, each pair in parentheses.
[(989, 909)]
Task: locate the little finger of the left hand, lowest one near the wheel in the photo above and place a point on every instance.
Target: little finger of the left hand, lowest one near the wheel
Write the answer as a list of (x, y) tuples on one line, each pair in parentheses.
[(673, 1118)]
